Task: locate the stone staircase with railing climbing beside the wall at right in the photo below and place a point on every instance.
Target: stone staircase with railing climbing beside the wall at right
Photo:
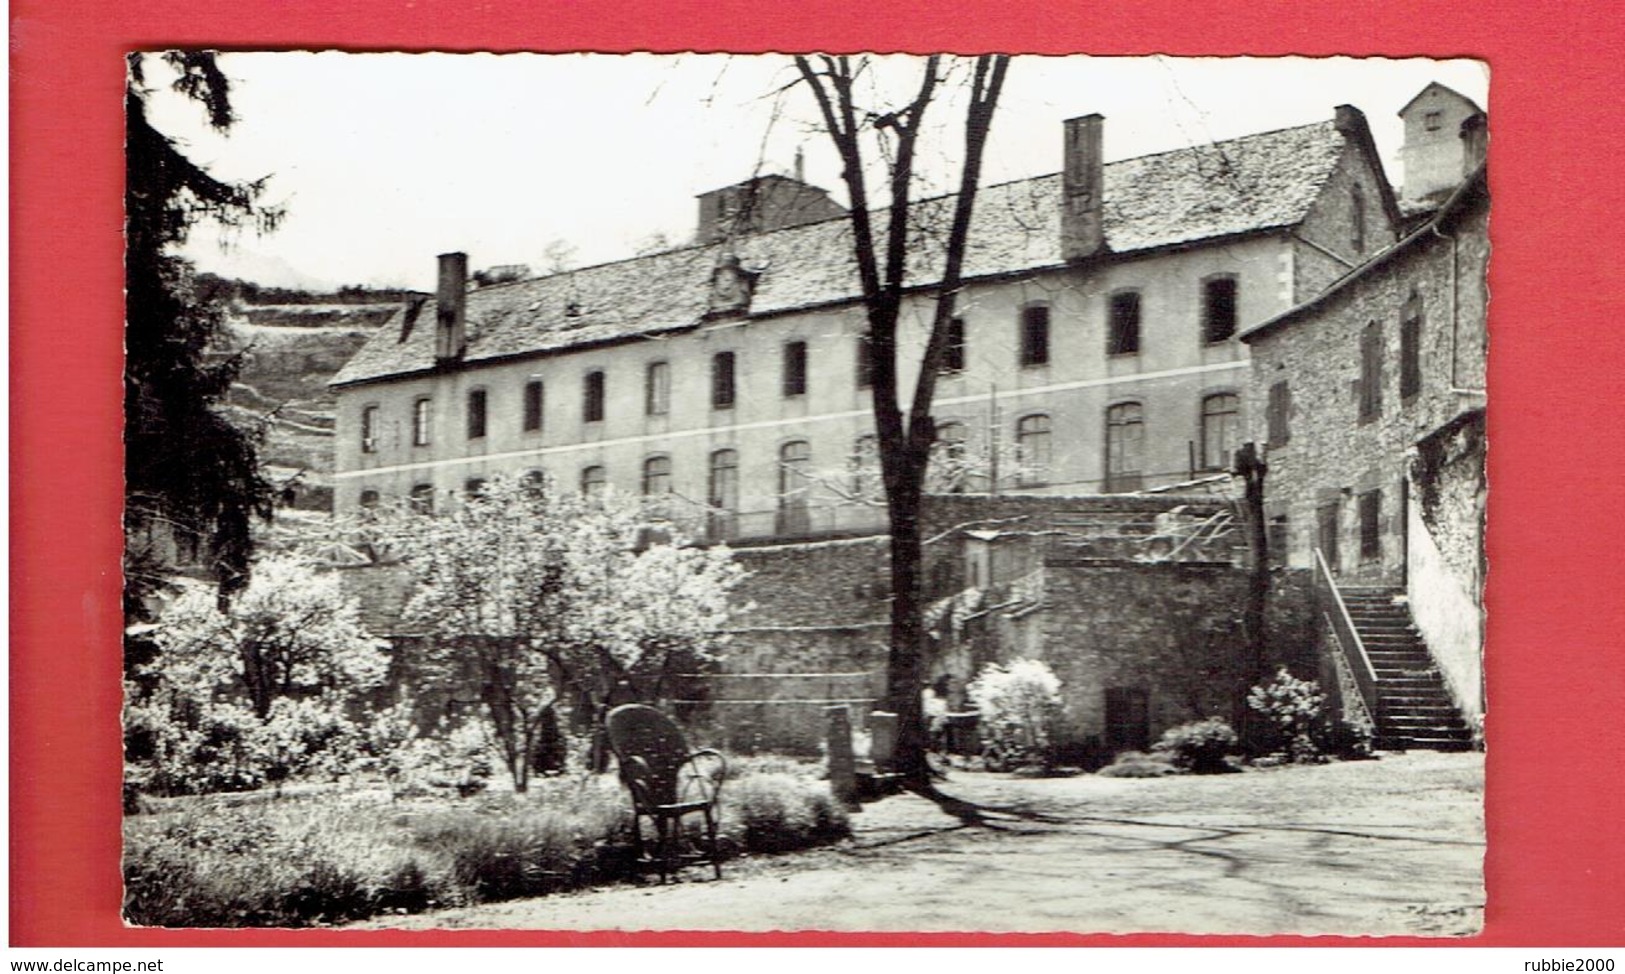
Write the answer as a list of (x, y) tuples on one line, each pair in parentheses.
[(1413, 705)]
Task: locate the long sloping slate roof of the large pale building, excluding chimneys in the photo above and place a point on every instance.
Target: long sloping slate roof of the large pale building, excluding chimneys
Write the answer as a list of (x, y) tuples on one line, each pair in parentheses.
[(1171, 199)]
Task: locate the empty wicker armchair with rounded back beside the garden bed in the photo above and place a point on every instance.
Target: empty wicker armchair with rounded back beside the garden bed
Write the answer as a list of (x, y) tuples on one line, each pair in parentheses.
[(669, 783)]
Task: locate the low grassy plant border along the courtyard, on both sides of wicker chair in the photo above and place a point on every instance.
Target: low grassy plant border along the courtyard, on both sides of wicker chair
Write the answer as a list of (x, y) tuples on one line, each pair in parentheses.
[(347, 856)]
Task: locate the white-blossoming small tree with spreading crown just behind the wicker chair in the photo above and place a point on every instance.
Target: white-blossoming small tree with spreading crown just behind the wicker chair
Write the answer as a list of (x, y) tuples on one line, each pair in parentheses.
[(534, 596)]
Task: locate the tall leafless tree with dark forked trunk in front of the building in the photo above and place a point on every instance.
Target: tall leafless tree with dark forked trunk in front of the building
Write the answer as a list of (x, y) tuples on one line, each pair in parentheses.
[(883, 258)]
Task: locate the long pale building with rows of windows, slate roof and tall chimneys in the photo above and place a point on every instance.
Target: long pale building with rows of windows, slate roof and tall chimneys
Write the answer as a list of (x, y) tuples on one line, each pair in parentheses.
[(1096, 347)]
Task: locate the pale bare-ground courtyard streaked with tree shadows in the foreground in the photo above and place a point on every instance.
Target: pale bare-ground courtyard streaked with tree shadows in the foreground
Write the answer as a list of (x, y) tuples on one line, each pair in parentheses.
[(1377, 848)]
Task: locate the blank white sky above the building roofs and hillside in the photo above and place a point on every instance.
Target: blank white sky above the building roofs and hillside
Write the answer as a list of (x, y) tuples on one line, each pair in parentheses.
[(386, 160)]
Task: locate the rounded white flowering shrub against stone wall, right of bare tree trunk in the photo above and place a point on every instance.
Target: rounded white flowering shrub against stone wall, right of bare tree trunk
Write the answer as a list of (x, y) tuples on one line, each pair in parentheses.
[(1020, 708)]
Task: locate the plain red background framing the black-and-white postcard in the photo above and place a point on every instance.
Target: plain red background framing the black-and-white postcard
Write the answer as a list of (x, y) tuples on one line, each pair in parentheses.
[(1556, 773)]
